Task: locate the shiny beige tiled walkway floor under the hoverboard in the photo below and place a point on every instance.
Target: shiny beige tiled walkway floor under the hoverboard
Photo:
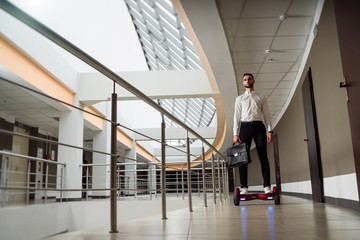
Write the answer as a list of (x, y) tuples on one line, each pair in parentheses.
[(295, 218)]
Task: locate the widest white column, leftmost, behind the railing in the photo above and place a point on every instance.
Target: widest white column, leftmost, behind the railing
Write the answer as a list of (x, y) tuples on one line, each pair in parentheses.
[(71, 131)]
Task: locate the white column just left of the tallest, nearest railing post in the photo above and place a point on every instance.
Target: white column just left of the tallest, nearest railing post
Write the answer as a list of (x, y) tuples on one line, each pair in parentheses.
[(101, 174)]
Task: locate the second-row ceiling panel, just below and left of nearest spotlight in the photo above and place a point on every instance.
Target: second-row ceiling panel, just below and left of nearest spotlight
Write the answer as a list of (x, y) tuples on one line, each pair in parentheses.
[(254, 27)]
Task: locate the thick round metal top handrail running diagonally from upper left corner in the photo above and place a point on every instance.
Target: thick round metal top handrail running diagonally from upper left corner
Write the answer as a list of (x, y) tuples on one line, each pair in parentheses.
[(71, 48)]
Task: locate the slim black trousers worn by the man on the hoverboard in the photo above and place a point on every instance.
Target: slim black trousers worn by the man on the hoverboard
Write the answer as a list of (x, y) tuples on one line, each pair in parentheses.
[(255, 130)]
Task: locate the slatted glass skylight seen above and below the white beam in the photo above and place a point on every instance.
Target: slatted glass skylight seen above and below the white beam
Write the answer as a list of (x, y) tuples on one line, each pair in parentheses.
[(167, 46)]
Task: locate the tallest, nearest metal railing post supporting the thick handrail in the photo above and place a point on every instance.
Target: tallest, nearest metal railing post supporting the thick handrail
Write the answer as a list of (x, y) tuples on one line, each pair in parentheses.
[(113, 207)]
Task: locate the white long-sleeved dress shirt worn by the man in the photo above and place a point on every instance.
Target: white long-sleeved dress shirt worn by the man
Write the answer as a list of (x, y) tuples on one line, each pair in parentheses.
[(251, 107)]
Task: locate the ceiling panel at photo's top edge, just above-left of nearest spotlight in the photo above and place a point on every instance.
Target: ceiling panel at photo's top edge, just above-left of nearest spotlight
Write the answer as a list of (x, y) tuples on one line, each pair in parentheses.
[(265, 8)]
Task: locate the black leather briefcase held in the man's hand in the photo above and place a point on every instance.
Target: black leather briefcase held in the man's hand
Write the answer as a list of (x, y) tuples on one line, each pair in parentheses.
[(237, 155)]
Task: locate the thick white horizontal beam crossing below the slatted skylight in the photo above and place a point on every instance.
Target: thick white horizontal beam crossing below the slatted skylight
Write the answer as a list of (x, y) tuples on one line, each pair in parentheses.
[(95, 87)]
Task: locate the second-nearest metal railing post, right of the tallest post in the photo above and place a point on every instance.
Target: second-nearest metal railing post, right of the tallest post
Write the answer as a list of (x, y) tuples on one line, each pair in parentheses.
[(163, 169)]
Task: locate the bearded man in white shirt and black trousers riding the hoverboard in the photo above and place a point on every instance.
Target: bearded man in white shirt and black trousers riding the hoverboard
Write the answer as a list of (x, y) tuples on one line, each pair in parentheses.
[(250, 107)]
